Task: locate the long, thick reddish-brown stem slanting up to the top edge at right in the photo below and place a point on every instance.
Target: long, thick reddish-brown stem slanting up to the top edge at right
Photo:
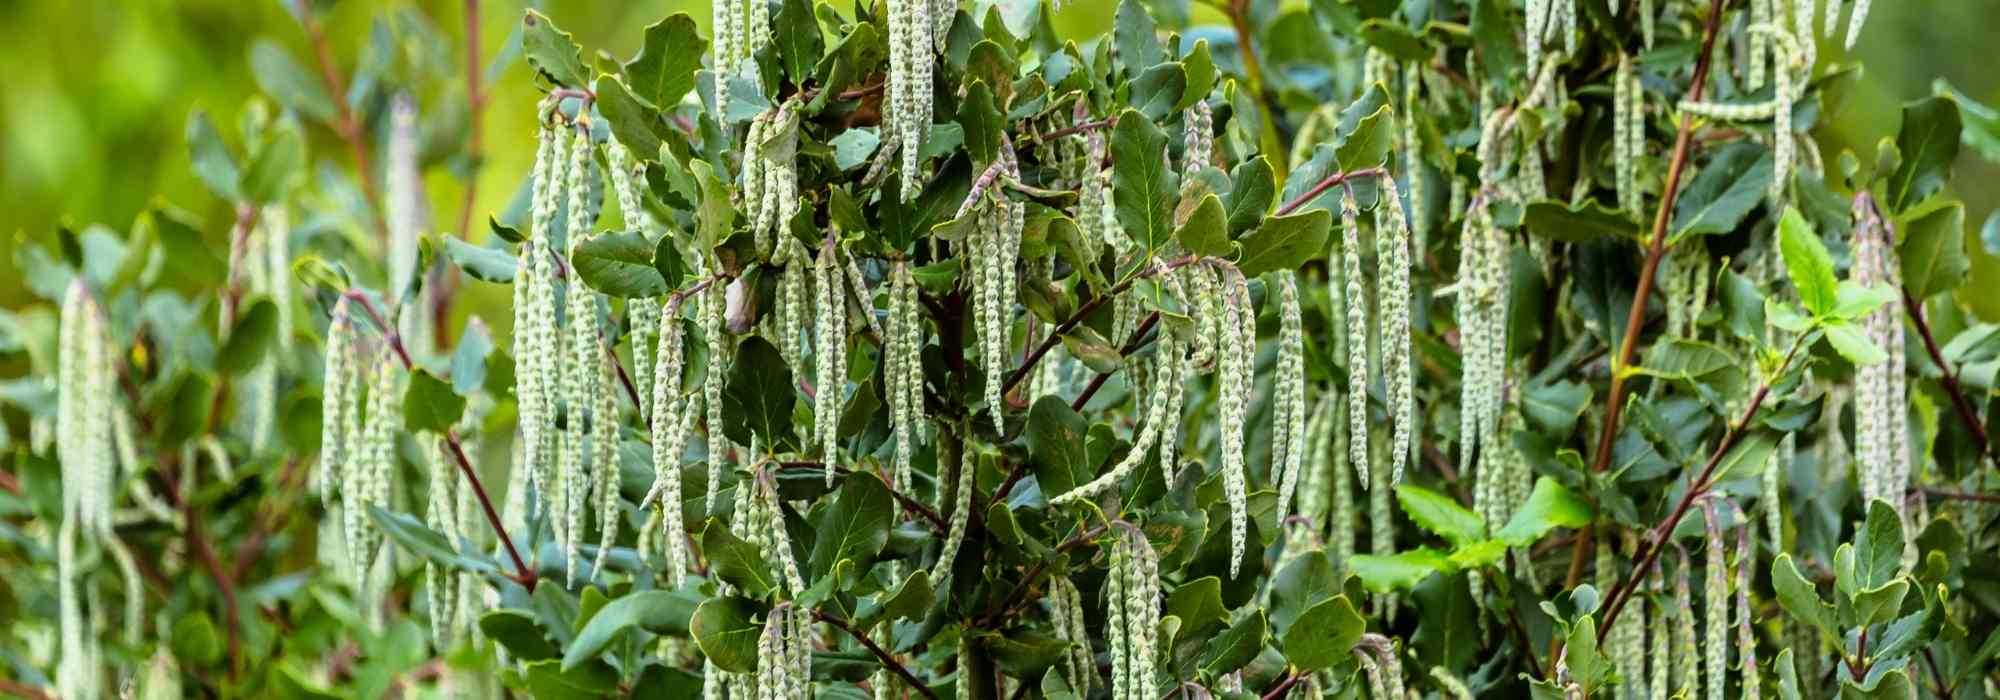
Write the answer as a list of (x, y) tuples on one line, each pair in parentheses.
[(1655, 253)]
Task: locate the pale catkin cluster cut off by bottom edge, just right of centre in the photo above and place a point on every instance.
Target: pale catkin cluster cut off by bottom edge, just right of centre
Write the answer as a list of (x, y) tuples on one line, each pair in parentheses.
[(1133, 597)]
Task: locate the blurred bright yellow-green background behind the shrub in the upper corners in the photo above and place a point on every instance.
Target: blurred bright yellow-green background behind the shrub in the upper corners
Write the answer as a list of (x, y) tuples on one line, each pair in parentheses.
[(99, 95)]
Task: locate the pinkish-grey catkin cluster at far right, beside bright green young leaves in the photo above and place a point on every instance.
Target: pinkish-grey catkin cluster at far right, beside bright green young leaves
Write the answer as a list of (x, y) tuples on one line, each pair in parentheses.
[(1881, 391)]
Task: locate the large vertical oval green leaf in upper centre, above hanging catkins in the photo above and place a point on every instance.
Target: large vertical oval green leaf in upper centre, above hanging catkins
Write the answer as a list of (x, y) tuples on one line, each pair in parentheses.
[(1143, 189)]
